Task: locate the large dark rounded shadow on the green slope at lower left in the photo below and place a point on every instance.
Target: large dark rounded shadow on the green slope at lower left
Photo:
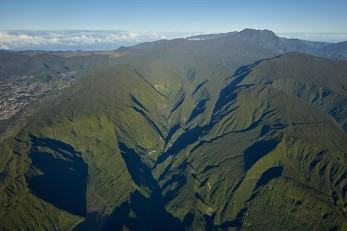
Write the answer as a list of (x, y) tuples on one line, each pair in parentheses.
[(62, 175)]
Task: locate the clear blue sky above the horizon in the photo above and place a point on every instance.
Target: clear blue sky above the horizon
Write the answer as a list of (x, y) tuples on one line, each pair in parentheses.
[(300, 16)]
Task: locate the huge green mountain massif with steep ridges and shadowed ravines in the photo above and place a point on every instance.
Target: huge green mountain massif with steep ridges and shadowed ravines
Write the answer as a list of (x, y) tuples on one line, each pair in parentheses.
[(217, 134)]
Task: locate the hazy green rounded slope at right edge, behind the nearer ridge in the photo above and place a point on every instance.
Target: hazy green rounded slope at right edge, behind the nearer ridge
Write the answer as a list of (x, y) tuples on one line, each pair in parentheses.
[(319, 82)]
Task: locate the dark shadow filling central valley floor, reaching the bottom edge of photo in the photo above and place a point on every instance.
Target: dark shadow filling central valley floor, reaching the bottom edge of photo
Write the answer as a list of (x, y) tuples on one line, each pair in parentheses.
[(148, 212)]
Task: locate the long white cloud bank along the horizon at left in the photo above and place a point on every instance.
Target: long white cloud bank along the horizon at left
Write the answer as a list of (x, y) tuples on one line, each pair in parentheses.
[(78, 40)]
